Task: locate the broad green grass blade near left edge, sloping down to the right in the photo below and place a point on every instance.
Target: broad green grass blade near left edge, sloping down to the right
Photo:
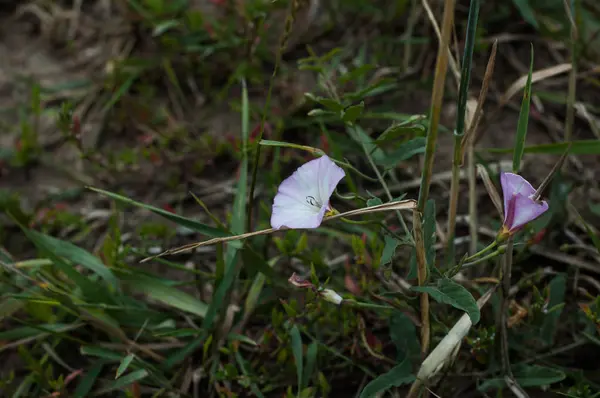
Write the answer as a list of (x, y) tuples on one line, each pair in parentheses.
[(76, 255)]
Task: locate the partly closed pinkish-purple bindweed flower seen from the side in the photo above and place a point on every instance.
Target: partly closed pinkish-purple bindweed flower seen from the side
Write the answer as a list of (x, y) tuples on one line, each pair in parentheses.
[(520, 206)]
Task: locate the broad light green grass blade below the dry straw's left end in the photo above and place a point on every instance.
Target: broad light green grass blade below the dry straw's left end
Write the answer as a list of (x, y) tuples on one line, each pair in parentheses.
[(159, 291)]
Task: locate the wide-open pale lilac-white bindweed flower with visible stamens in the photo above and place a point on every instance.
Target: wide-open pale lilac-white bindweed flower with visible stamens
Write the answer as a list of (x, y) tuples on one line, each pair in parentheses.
[(303, 198)]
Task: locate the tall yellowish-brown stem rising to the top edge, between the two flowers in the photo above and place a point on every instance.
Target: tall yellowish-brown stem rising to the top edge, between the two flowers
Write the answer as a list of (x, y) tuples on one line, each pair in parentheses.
[(437, 96)]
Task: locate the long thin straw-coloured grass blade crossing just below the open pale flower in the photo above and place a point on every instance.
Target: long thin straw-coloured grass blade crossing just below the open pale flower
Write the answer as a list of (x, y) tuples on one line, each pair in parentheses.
[(408, 204)]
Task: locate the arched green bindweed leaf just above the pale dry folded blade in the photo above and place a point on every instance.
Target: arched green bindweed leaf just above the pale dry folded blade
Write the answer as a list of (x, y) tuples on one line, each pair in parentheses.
[(450, 292)]
